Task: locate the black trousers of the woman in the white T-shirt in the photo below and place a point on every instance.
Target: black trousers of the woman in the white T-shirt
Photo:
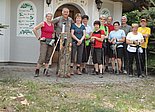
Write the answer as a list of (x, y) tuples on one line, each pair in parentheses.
[(133, 56)]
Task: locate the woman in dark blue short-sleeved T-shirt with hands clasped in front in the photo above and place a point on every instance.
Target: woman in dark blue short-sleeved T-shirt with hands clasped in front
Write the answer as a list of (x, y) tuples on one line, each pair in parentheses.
[(78, 33)]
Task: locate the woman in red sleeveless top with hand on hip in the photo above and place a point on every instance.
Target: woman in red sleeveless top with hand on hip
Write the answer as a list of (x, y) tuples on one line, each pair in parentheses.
[(47, 29)]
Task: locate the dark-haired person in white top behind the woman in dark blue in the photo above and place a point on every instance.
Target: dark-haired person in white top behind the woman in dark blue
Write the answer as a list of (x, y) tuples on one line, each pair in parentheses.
[(87, 44)]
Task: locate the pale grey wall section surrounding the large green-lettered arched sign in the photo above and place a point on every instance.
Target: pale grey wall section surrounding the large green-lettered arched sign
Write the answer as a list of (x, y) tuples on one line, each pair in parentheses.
[(24, 49)]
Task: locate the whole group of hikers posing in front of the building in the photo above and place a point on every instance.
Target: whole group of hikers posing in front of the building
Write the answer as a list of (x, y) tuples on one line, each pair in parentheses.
[(118, 43)]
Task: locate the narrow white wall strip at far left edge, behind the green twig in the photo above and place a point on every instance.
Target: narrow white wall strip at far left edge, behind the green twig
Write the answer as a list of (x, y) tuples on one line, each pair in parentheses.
[(5, 39)]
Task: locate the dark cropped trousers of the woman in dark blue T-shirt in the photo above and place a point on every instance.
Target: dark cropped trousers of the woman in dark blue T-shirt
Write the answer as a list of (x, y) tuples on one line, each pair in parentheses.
[(79, 50)]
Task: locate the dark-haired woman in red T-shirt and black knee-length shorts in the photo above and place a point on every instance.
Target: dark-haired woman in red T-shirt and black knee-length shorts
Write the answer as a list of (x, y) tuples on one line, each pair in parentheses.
[(97, 38)]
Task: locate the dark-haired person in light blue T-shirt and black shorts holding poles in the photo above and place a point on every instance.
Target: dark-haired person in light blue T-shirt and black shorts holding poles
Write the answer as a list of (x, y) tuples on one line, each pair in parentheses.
[(116, 38)]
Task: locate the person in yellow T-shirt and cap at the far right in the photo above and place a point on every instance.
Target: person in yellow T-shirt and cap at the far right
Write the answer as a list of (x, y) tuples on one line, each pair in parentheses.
[(146, 31)]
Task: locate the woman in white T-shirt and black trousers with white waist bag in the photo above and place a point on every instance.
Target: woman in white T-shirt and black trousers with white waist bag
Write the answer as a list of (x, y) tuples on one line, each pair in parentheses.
[(134, 40)]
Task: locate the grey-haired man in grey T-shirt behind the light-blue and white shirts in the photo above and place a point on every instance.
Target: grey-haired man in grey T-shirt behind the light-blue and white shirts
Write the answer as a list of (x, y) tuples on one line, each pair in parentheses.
[(127, 28)]
